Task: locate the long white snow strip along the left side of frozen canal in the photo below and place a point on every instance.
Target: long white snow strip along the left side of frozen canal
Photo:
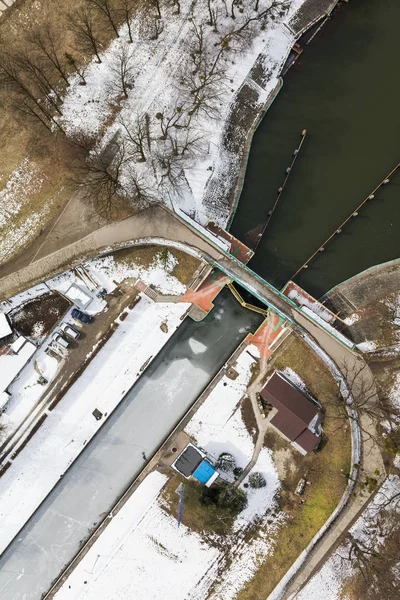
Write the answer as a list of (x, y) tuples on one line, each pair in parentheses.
[(71, 424)]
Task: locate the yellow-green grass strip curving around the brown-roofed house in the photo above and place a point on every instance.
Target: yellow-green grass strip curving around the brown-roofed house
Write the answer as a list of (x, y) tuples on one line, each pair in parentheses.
[(325, 470)]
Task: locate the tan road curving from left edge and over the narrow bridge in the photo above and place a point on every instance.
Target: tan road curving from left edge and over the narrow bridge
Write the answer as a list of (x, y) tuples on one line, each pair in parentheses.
[(159, 225)]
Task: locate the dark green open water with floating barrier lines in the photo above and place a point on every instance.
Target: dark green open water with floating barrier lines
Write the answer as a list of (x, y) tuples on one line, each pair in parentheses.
[(345, 90)]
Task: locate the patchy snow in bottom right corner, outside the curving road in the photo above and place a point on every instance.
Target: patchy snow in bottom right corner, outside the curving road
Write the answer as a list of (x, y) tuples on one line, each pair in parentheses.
[(327, 583)]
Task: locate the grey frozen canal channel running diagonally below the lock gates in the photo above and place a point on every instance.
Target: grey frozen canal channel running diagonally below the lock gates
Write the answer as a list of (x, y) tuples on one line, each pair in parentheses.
[(112, 460)]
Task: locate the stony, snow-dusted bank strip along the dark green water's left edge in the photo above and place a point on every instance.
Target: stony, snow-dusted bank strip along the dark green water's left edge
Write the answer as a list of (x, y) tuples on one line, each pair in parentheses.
[(250, 105)]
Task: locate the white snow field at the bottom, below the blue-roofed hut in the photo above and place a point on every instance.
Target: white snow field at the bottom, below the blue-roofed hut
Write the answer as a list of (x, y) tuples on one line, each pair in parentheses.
[(143, 555)]
